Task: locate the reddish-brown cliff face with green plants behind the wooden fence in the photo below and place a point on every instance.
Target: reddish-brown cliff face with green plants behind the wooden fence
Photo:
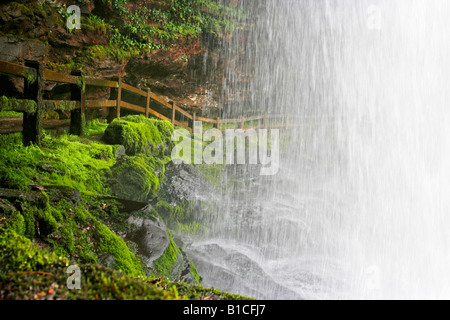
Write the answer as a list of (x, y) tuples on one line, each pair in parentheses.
[(145, 42)]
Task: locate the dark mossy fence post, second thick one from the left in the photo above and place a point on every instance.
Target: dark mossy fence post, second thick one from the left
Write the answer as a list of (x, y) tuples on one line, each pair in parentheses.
[(77, 115)]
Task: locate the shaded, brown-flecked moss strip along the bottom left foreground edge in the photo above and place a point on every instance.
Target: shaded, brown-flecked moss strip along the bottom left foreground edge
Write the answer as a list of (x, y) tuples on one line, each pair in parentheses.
[(97, 283)]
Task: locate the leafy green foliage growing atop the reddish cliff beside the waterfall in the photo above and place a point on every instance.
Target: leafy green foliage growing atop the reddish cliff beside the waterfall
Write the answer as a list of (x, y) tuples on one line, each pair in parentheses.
[(148, 28)]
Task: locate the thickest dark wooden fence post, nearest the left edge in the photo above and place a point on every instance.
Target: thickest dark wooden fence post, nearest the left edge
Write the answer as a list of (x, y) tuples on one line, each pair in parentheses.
[(33, 90)]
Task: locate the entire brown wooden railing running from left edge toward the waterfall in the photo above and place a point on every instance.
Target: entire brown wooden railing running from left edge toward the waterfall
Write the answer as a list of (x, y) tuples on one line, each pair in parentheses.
[(35, 75)]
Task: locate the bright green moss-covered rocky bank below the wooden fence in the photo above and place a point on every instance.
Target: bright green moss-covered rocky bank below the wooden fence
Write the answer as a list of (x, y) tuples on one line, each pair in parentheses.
[(59, 208)]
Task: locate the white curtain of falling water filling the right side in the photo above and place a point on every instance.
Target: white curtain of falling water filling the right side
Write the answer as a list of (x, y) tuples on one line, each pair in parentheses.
[(361, 205)]
